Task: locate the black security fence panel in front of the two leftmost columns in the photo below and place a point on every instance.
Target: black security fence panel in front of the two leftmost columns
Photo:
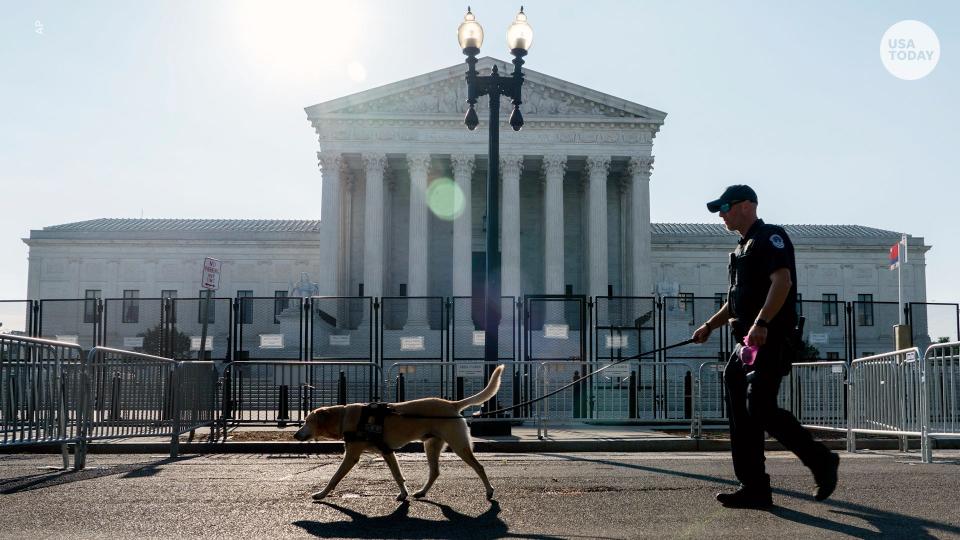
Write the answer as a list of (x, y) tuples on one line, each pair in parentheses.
[(343, 328)]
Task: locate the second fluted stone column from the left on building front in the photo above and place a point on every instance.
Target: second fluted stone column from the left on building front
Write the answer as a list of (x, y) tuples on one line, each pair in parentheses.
[(374, 166)]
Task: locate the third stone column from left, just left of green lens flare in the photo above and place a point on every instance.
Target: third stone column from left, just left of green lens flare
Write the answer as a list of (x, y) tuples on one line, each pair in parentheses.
[(418, 165)]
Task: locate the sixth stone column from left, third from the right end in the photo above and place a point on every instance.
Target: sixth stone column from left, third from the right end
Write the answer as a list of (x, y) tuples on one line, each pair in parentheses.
[(553, 169)]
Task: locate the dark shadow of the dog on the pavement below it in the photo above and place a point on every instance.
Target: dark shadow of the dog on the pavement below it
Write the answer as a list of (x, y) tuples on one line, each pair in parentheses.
[(399, 524)]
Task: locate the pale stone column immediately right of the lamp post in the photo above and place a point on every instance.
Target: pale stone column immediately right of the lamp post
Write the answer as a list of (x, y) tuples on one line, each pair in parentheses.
[(510, 168)]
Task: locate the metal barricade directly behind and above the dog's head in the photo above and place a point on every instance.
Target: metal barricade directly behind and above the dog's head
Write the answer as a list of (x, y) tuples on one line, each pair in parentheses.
[(284, 392)]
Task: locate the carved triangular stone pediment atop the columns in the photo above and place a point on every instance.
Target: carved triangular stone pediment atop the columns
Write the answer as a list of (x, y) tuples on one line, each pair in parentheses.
[(443, 93)]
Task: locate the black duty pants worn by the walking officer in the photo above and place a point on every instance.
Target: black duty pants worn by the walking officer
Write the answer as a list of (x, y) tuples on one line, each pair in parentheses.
[(752, 408)]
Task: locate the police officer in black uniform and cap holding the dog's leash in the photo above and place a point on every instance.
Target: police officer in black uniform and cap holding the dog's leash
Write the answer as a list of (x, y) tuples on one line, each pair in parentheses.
[(761, 309)]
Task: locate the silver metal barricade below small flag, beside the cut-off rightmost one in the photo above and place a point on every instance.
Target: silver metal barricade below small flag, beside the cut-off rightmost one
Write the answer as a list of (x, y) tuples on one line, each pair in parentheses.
[(885, 396)]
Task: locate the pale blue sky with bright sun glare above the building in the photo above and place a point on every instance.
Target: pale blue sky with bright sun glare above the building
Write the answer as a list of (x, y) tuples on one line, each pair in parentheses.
[(195, 109)]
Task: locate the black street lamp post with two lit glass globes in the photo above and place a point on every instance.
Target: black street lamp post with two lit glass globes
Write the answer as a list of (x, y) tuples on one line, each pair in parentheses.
[(519, 39)]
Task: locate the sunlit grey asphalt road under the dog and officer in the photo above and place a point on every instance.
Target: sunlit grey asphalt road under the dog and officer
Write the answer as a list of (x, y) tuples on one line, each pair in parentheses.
[(538, 496)]
